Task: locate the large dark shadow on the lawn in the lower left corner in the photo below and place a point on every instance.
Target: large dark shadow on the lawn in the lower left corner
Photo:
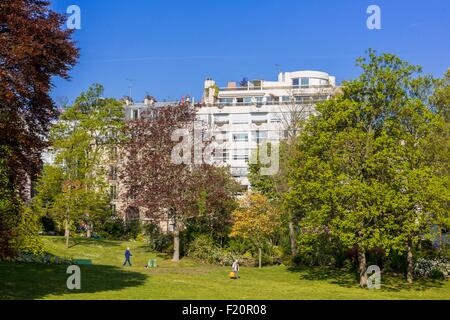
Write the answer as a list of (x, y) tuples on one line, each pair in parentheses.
[(21, 281)]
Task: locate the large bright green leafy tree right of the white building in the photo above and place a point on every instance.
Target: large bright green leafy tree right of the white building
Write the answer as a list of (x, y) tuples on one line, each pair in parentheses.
[(361, 162)]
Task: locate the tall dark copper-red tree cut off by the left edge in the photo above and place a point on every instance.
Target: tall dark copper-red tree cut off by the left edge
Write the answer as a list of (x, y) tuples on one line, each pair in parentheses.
[(33, 50)]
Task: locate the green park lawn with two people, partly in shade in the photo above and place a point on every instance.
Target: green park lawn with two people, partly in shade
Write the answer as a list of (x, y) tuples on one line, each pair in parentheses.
[(107, 279)]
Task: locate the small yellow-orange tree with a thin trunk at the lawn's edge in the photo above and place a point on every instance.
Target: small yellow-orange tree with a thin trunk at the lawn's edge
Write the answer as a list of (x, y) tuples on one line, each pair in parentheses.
[(256, 219)]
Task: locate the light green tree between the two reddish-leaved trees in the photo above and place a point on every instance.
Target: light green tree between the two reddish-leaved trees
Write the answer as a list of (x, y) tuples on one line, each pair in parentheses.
[(75, 187)]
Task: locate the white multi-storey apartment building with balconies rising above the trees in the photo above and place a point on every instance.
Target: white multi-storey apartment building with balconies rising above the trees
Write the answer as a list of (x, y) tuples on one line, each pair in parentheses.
[(243, 115)]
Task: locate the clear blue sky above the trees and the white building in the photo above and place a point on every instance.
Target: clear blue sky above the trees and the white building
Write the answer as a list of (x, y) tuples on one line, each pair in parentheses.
[(169, 47)]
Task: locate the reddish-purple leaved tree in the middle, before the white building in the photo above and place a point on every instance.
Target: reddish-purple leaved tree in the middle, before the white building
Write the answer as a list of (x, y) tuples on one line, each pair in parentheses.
[(165, 190)]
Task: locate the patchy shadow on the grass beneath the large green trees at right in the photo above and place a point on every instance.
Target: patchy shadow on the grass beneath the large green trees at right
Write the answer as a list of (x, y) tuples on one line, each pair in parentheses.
[(349, 279)]
